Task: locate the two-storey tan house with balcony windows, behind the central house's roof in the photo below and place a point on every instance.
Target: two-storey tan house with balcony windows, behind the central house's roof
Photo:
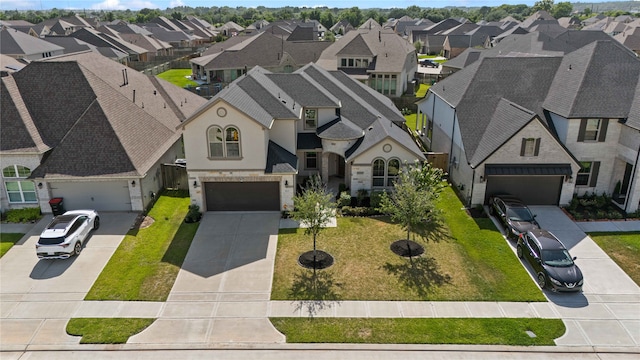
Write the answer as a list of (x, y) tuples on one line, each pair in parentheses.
[(379, 58)]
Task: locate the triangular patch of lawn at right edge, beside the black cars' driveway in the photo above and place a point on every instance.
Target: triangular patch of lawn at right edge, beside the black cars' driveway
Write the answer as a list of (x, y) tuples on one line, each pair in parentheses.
[(623, 248)]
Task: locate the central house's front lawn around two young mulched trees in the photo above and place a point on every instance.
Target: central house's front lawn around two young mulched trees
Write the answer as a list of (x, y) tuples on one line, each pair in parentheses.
[(467, 259)]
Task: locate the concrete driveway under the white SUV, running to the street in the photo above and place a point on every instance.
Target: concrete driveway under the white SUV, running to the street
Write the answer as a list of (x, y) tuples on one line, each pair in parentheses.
[(37, 297)]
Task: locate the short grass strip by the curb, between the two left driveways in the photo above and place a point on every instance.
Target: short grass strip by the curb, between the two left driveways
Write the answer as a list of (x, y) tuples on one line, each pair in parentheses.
[(106, 330)]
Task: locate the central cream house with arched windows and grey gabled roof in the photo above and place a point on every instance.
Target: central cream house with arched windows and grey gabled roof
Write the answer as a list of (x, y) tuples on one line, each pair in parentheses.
[(254, 142)]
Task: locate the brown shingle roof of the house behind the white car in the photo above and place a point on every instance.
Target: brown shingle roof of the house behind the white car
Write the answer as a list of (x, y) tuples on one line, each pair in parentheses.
[(94, 124)]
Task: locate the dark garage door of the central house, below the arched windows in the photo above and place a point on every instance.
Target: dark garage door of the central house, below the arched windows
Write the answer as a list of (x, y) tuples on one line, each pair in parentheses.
[(242, 196)]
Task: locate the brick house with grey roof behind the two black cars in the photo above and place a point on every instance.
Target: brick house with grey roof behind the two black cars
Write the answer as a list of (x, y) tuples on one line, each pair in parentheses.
[(541, 128)]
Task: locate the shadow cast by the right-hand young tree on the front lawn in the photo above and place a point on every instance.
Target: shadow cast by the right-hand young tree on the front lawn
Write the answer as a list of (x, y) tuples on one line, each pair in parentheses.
[(421, 274)]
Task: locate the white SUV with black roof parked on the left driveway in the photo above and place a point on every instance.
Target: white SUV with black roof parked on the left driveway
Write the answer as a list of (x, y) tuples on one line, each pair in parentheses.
[(66, 234)]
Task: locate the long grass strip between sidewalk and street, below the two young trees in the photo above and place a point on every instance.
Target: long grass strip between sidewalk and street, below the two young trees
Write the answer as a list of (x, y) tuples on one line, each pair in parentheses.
[(421, 331)]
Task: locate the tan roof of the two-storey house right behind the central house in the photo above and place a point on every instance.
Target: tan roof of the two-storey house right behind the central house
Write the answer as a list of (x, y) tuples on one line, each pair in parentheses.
[(391, 51)]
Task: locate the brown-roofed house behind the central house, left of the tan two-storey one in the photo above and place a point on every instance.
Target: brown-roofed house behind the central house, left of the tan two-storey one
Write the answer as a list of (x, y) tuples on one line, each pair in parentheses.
[(224, 62)]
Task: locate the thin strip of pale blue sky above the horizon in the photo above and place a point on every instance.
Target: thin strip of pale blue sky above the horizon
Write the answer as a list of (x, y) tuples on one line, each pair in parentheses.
[(163, 4)]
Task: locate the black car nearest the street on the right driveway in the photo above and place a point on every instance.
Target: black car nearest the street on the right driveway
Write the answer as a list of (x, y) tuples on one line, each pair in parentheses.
[(555, 268)]
